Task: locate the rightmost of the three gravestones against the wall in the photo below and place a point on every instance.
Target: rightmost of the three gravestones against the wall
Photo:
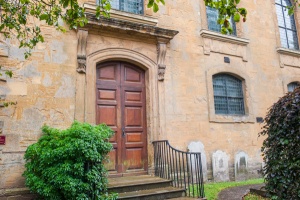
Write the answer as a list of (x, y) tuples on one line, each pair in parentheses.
[(241, 166)]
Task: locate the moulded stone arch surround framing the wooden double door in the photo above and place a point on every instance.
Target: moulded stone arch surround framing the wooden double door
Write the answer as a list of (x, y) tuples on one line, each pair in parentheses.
[(86, 87)]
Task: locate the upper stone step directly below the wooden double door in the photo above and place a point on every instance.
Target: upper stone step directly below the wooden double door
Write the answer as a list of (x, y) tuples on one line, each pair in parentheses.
[(135, 183)]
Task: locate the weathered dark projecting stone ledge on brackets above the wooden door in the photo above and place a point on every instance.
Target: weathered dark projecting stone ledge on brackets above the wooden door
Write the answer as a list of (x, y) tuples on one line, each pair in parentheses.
[(130, 27)]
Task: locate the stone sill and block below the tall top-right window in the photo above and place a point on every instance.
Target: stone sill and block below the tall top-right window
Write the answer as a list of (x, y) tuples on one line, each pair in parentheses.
[(290, 58)]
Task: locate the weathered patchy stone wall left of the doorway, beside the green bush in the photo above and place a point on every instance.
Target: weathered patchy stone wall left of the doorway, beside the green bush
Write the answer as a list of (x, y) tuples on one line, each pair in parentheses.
[(43, 87)]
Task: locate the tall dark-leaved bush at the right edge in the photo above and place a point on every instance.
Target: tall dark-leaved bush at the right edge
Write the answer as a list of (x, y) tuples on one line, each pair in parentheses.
[(281, 148)]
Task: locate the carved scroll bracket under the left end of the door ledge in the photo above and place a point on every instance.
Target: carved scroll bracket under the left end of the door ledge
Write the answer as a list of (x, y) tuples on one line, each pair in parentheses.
[(81, 51)]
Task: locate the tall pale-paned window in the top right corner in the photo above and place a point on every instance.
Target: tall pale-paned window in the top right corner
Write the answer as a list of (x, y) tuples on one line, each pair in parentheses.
[(287, 27)]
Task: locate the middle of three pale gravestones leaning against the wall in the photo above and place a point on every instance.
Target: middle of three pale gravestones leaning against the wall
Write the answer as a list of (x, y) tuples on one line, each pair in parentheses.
[(220, 166)]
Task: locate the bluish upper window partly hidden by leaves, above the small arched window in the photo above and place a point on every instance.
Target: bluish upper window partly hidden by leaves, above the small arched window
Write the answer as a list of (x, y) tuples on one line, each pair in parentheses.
[(212, 20)]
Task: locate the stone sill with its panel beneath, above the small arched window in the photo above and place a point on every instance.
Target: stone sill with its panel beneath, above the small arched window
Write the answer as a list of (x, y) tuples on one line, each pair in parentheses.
[(224, 44)]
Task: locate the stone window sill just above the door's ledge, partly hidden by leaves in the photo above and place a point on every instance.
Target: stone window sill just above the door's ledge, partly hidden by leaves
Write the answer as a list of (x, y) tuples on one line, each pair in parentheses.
[(125, 16)]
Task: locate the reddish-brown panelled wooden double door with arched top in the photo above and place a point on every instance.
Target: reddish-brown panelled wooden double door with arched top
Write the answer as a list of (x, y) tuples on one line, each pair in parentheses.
[(121, 104)]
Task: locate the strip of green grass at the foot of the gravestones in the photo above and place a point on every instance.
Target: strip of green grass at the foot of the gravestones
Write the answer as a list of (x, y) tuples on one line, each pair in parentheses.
[(212, 189)]
